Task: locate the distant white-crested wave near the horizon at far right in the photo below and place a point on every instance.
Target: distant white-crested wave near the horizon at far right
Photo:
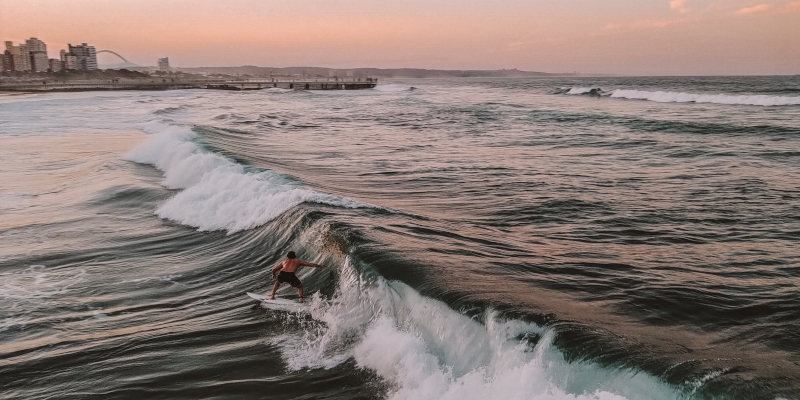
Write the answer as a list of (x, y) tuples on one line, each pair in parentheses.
[(680, 97)]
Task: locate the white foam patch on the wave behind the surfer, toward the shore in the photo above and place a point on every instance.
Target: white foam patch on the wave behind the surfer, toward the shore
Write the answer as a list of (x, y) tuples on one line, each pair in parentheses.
[(219, 194)]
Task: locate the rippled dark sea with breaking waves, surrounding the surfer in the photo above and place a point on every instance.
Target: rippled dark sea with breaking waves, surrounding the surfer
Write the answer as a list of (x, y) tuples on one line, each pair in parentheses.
[(540, 238)]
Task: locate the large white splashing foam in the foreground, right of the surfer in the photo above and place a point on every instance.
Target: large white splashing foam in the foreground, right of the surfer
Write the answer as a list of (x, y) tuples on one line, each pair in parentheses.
[(426, 350)]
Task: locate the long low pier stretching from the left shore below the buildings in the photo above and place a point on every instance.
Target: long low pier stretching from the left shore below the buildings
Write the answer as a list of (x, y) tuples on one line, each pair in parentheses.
[(159, 83)]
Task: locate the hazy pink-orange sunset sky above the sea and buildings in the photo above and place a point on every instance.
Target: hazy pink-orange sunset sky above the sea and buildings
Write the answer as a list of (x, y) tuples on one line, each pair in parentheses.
[(643, 37)]
